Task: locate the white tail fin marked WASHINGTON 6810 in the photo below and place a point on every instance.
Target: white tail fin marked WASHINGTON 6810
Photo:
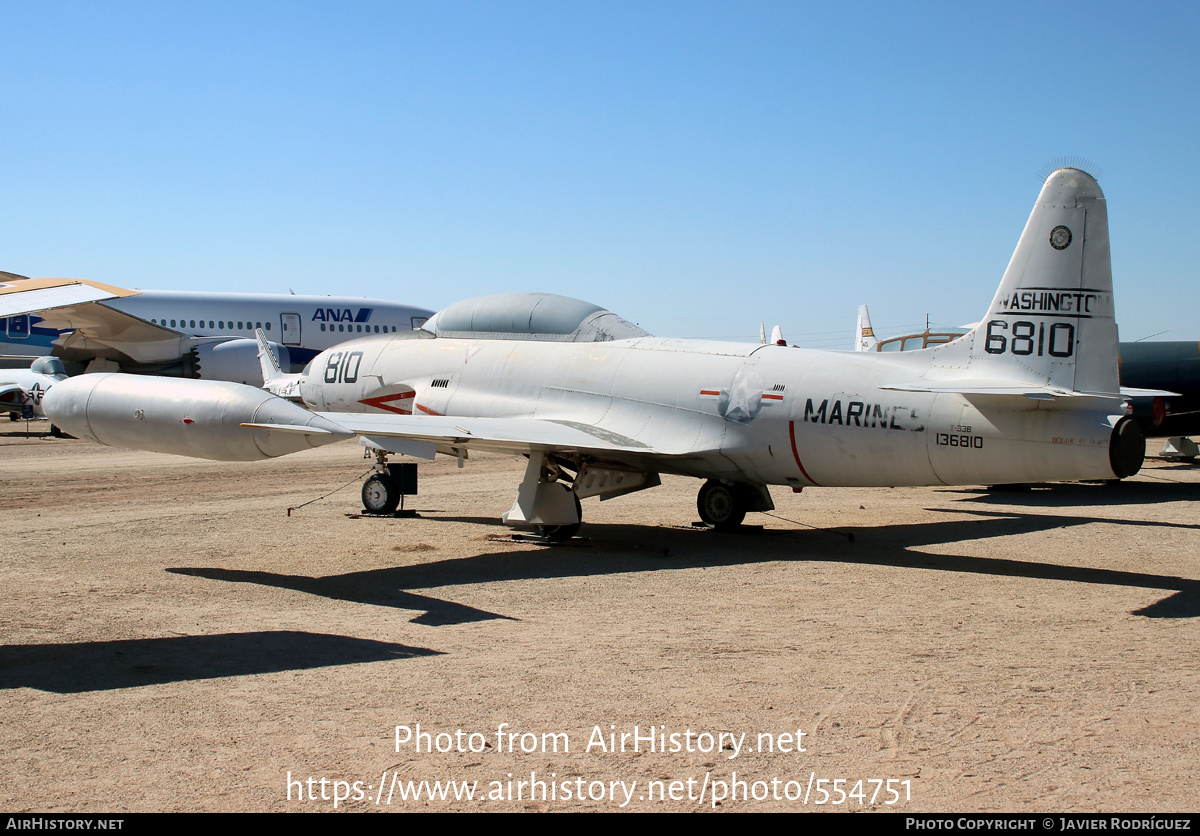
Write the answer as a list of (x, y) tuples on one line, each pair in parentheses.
[(1052, 323)]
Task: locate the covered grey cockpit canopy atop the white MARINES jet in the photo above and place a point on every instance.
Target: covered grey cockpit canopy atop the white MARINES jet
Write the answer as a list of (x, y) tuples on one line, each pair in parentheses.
[(531, 316)]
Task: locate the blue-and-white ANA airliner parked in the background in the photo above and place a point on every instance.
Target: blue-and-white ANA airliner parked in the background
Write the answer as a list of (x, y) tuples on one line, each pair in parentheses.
[(182, 334)]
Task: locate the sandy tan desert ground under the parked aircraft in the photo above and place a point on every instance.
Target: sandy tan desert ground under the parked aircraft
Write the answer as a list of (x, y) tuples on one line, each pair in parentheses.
[(176, 641)]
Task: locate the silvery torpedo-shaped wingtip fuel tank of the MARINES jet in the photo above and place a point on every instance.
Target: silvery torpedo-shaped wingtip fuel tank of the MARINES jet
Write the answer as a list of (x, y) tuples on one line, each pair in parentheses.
[(205, 419)]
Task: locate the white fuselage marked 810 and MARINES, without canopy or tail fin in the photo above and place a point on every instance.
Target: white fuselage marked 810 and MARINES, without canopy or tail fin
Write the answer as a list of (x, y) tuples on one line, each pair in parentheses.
[(746, 413)]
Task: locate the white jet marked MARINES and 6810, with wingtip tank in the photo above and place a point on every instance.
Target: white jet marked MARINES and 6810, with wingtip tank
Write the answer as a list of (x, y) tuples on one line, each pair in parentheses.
[(602, 408)]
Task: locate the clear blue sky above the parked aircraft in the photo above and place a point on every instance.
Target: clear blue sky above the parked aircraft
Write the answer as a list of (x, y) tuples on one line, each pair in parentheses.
[(698, 167)]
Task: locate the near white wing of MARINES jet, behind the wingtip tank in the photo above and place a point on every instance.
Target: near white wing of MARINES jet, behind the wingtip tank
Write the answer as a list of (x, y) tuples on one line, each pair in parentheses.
[(422, 435)]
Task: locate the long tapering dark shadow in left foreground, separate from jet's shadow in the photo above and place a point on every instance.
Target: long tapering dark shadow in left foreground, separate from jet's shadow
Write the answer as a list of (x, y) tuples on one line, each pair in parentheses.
[(105, 666)]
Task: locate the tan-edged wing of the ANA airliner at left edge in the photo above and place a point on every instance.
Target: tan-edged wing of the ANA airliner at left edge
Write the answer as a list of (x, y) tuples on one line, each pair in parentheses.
[(99, 332)]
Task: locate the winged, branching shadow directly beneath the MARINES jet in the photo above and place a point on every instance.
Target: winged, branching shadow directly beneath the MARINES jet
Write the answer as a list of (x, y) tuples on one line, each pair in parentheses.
[(617, 550)]
